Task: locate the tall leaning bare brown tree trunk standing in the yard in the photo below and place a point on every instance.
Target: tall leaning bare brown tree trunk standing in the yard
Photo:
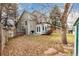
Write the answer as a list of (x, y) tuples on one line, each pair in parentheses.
[(67, 9)]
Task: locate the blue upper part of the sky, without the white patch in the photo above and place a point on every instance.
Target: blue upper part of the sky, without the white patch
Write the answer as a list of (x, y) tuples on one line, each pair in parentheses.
[(43, 7)]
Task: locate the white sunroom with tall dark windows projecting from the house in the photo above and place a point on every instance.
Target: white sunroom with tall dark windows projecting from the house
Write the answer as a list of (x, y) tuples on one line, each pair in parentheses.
[(43, 28)]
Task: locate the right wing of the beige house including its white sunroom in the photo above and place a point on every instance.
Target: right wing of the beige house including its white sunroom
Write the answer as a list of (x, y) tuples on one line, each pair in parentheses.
[(43, 25)]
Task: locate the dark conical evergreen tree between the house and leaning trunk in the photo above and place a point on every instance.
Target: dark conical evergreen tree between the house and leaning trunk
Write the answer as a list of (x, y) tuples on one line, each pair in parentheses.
[(55, 16)]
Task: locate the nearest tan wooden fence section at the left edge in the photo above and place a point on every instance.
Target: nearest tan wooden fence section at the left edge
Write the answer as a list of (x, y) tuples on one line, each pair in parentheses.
[(3, 38)]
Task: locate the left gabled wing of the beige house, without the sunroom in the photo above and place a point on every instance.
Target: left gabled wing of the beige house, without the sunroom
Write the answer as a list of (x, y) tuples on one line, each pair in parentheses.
[(26, 23)]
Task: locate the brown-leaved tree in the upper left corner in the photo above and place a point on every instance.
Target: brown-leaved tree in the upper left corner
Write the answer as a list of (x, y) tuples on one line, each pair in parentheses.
[(8, 10)]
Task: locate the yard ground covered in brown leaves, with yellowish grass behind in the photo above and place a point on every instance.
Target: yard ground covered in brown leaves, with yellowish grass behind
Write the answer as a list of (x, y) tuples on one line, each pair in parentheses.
[(39, 46)]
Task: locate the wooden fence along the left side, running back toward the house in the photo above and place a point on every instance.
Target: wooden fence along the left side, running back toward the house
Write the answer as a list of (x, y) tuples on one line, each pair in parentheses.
[(5, 35)]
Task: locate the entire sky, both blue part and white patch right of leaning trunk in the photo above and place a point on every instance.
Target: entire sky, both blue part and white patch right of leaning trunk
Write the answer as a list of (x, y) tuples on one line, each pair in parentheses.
[(45, 8)]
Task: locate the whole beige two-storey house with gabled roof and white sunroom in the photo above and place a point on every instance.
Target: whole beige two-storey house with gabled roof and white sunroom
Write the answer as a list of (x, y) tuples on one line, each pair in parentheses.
[(33, 23)]
